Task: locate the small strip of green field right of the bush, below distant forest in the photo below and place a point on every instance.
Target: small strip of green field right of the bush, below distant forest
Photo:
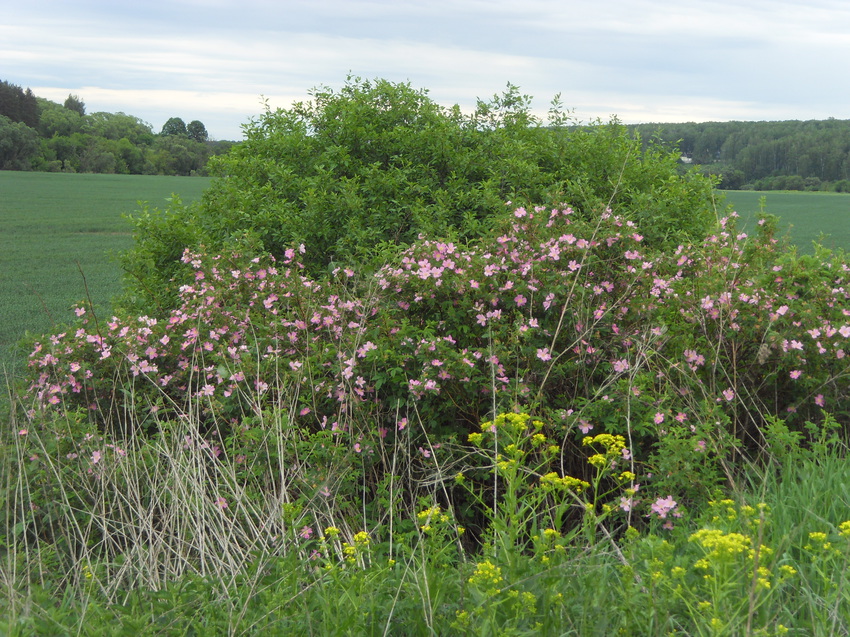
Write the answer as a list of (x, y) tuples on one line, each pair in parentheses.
[(804, 215)]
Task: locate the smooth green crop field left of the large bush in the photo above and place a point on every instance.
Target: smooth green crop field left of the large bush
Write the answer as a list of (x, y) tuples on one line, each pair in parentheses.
[(58, 227)]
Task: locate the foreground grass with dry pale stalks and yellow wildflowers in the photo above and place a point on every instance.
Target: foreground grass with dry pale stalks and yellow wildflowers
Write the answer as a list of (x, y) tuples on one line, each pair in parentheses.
[(158, 537)]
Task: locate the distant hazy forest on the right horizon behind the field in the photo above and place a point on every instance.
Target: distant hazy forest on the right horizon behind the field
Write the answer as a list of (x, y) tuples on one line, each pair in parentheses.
[(786, 155)]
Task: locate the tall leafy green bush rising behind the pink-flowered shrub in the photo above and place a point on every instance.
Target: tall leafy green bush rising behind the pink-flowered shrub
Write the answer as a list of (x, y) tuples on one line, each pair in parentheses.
[(352, 173)]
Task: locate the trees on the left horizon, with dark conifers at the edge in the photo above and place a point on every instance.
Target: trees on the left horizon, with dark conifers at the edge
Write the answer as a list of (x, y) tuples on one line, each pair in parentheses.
[(38, 134)]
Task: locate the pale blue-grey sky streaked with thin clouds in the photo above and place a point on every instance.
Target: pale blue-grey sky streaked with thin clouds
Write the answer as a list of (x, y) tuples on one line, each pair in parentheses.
[(642, 60)]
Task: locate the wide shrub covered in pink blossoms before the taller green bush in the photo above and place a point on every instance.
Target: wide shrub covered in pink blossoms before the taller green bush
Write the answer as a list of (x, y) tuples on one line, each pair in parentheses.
[(685, 354)]
